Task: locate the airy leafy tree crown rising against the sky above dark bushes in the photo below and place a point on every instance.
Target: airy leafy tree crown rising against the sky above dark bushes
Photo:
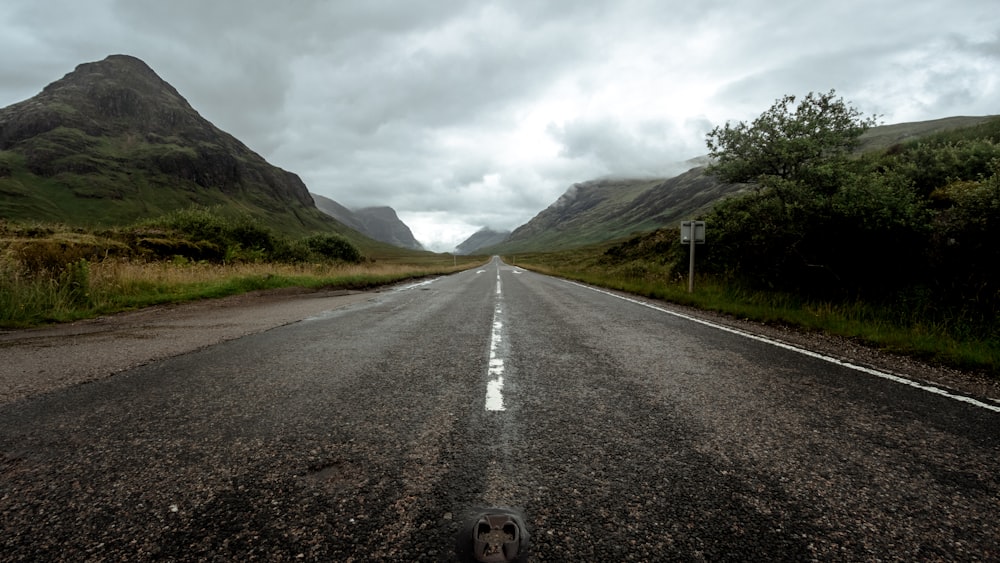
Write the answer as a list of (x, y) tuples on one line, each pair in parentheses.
[(786, 144)]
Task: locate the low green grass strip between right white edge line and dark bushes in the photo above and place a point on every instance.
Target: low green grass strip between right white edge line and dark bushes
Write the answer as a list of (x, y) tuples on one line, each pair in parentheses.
[(895, 329)]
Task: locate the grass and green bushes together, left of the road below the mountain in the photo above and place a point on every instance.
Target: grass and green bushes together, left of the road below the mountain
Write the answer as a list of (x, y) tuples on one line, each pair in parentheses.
[(54, 273)]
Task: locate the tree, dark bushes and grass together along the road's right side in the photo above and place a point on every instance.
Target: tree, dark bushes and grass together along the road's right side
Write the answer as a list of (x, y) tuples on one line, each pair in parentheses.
[(896, 248)]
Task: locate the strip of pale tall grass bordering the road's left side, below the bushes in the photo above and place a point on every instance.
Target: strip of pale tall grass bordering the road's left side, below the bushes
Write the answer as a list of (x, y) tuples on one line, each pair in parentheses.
[(85, 290)]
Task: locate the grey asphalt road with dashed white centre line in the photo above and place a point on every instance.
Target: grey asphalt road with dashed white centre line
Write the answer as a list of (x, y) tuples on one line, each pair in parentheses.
[(622, 431)]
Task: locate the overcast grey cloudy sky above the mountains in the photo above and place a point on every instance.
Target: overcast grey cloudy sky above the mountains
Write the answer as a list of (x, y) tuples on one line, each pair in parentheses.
[(468, 114)]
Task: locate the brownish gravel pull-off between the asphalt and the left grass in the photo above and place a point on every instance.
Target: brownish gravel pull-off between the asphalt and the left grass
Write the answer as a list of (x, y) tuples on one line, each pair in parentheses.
[(49, 358)]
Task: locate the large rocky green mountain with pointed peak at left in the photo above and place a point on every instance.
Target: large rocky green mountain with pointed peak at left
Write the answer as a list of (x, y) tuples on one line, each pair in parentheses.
[(111, 142)]
